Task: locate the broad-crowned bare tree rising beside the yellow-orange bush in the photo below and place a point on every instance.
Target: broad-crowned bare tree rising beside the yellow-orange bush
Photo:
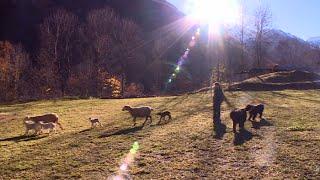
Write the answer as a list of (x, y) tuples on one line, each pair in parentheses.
[(116, 43)]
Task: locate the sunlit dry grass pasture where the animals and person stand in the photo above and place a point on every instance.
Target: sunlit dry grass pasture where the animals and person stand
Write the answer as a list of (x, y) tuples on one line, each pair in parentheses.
[(285, 146)]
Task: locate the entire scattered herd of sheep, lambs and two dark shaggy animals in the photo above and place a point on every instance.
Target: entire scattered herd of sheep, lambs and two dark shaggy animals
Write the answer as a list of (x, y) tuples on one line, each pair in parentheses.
[(49, 122)]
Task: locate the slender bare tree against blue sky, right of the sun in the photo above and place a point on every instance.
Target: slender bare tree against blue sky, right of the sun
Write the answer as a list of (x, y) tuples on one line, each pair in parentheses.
[(262, 24)]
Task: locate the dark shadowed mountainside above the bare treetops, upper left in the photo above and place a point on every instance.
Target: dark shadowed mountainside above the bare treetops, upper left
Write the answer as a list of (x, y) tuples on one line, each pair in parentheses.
[(19, 19)]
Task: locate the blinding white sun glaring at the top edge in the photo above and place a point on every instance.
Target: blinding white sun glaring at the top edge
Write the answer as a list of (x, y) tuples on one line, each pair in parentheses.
[(214, 12)]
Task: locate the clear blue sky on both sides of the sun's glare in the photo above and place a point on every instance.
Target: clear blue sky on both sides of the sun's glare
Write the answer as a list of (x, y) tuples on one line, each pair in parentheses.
[(297, 17)]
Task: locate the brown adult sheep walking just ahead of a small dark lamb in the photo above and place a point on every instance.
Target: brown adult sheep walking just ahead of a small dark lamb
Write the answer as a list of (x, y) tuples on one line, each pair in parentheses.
[(139, 112)]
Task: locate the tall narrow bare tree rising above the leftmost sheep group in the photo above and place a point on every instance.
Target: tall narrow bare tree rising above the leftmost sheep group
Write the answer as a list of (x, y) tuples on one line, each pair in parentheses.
[(56, 36)]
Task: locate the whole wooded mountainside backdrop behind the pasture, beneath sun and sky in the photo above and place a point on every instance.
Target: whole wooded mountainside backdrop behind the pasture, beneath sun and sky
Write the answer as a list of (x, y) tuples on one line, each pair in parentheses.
[(129, 48)]
